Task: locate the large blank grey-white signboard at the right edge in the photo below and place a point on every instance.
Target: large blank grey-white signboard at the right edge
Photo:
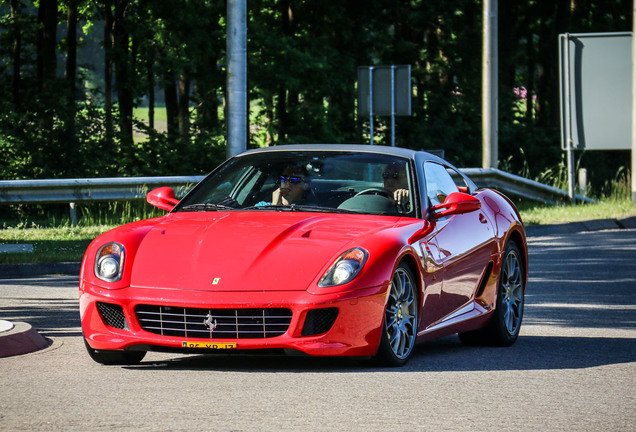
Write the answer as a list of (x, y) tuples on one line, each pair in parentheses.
[(596, 91)]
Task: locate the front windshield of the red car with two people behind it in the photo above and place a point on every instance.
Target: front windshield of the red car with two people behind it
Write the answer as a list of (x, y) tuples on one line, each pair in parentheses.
[(327, 181)]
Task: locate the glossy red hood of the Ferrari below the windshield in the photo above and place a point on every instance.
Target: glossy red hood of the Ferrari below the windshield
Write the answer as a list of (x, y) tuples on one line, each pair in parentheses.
[(246, 251)]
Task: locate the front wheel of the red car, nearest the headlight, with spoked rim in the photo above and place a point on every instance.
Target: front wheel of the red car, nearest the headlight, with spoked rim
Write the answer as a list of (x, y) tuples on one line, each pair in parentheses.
[(399, 327)]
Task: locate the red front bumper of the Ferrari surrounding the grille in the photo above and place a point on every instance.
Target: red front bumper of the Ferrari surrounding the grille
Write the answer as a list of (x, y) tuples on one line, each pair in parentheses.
[(116, 325)]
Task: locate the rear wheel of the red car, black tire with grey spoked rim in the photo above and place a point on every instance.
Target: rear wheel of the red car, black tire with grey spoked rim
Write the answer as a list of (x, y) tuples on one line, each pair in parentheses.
[(503, 328)]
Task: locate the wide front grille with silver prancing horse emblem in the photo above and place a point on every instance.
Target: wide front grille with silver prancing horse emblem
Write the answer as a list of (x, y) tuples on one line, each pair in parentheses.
[(214, 323)]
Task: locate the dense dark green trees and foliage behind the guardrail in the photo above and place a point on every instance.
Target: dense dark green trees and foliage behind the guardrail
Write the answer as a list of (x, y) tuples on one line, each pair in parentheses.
[(73, 71)]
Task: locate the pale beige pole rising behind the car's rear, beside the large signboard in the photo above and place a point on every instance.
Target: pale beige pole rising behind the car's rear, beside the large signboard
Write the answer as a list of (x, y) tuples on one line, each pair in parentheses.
[(489, 85)]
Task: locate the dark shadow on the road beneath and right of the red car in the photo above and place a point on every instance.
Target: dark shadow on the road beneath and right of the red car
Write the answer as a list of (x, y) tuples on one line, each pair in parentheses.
[(445, 354)]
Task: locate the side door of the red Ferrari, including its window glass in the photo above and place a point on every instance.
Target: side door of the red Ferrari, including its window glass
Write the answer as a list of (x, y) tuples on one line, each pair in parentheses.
[(464, 244)]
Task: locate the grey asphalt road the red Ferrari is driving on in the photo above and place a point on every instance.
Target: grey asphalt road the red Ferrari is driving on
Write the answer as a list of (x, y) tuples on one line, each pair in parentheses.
[(573, 368)]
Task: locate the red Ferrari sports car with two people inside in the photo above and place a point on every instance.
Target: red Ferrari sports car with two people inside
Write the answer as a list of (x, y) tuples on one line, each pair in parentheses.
[(326, 250)]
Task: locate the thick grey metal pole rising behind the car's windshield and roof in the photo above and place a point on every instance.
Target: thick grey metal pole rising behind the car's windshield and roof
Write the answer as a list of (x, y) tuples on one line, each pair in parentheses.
[(236, 76)]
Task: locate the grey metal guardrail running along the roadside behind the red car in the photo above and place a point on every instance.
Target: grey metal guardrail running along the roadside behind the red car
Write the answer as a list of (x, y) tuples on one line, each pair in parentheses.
[(131, 188)]
